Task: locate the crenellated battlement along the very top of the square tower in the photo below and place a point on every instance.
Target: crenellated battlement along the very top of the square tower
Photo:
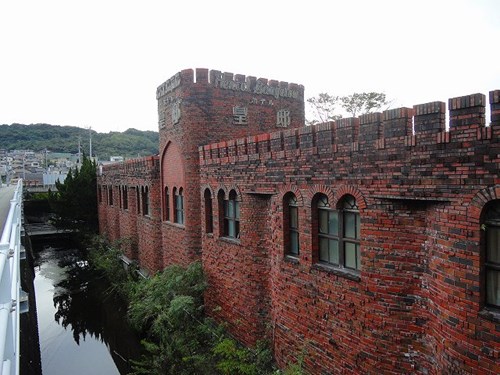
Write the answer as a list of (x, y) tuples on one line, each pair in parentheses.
[(233, 82)]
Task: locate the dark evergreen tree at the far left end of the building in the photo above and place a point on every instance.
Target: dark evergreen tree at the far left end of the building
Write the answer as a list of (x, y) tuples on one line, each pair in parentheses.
[(75, 202)]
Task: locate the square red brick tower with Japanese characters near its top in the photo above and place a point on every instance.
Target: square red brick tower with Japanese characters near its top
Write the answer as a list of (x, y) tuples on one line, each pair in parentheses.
[(196, 108)]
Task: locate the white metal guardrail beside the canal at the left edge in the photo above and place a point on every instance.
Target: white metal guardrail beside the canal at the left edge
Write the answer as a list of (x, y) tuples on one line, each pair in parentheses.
[(12, 298)]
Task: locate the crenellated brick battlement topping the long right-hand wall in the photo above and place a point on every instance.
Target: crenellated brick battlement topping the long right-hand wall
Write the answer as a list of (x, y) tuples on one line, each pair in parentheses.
[(424, 124)]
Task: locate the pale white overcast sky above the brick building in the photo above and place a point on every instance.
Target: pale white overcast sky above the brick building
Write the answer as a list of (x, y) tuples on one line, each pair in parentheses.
[(98, 63)]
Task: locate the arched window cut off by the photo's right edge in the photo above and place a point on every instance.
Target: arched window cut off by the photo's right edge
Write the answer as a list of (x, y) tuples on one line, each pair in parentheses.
[(491, 230)]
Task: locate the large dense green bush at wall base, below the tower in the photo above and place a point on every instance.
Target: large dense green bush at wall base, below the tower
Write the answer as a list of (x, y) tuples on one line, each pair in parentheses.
[(169, 307)]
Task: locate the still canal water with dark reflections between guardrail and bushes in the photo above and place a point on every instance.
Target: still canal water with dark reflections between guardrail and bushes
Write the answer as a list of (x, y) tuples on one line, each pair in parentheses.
[(82, 324)]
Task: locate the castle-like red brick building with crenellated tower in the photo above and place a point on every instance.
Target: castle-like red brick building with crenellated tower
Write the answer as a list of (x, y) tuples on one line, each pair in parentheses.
[(366, 245)]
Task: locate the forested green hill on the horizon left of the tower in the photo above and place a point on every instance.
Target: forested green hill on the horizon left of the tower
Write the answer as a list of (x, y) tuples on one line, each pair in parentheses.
[(55, 138)]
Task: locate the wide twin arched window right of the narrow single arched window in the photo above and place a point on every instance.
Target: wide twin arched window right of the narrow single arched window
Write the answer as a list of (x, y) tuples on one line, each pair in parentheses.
[(339, 233)]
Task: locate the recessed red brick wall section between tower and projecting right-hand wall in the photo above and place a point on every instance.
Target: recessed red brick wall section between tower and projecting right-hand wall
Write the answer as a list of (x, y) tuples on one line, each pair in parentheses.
[(239, 268)]
